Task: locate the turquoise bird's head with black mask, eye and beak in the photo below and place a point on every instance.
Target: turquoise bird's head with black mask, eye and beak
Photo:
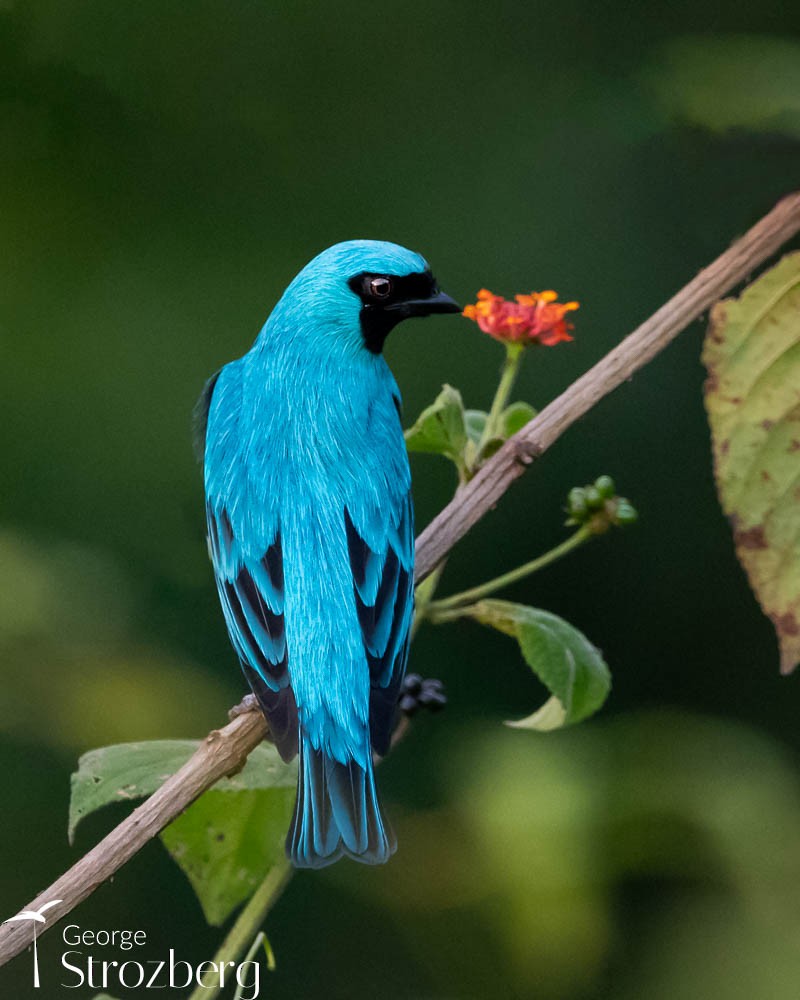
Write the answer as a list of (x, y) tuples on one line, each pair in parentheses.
[(359, 291)]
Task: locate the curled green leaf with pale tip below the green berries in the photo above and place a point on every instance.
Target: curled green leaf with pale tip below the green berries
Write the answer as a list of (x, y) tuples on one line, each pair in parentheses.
[(569, 666)]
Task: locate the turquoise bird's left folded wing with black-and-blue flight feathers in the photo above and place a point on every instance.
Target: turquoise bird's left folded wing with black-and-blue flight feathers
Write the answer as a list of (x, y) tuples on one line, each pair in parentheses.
[(252, 595)]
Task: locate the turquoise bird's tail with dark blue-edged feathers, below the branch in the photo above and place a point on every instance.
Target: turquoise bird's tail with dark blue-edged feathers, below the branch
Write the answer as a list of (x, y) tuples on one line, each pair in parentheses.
[(336, 813)]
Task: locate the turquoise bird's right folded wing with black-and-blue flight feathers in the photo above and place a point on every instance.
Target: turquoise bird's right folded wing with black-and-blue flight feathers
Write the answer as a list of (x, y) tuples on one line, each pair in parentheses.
[(383, 583)]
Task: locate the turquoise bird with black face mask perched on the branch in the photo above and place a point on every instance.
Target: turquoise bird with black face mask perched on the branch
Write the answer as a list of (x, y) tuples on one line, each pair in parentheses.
[(311, 531)]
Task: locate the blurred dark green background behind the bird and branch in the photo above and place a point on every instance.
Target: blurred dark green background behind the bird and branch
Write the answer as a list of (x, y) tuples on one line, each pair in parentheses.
[(165, 169)]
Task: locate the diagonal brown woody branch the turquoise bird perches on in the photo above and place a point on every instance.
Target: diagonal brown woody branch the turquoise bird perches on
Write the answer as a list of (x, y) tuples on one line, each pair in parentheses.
[(225, 750)]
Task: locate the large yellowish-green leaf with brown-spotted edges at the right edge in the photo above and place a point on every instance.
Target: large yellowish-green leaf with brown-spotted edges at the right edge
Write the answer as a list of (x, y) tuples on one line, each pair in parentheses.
[(752, 353)]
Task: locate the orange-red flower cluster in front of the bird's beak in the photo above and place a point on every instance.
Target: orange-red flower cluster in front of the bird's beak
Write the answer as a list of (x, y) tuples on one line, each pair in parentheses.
[(531, 319)]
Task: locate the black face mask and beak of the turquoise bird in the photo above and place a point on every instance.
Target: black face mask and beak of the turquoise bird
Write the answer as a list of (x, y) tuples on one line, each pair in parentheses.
[(386, 299)]
